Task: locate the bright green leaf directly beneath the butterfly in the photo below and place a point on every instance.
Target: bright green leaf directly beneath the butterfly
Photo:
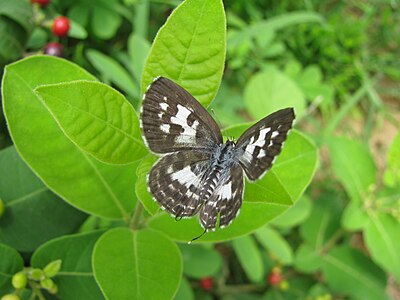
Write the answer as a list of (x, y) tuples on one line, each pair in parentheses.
[(263, 200)]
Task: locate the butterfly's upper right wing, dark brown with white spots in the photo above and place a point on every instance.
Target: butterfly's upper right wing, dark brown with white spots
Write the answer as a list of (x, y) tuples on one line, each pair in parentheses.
[(261, 143)]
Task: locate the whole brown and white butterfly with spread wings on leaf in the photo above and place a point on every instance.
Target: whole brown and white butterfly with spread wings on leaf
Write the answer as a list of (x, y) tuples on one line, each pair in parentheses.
[(198, 173)]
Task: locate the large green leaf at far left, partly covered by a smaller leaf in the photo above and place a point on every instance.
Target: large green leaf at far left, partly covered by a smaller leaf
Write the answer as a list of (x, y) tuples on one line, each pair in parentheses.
[(101, 189)]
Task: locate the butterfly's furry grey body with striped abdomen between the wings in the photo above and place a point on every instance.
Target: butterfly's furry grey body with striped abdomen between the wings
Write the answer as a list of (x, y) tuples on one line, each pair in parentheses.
[(221, 161)]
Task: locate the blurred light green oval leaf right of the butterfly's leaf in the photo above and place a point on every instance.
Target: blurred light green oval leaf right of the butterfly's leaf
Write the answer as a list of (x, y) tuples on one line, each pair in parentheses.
[(353, 165)]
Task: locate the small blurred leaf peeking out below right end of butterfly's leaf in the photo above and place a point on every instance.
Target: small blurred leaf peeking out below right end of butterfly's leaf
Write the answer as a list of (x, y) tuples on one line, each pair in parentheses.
[(294, 215)]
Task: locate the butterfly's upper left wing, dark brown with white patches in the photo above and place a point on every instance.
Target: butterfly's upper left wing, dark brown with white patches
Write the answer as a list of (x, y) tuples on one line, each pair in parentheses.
[(172, 120)]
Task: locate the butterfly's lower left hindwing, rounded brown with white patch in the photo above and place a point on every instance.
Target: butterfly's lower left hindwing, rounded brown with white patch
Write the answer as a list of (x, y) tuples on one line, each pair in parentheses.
[(176, 180)]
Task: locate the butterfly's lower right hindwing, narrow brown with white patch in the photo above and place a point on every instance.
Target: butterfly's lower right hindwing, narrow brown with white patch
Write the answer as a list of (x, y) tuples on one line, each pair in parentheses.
[(225, 201)]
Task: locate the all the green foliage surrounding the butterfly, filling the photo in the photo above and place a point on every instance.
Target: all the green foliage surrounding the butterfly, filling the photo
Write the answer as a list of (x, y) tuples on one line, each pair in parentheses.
[(76, 218)]
